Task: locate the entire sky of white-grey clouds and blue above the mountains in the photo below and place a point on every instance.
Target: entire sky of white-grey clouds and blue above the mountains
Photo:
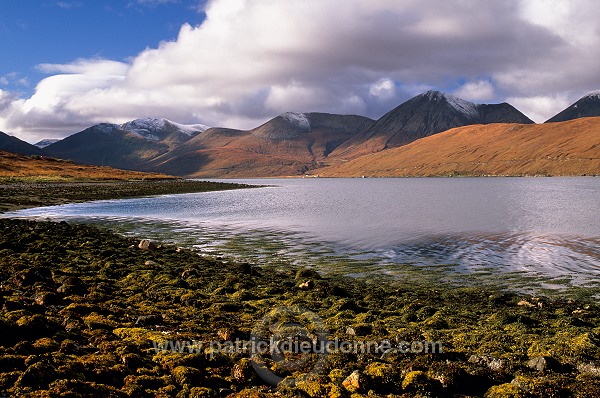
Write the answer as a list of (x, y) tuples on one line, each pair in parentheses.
[(66, 65)]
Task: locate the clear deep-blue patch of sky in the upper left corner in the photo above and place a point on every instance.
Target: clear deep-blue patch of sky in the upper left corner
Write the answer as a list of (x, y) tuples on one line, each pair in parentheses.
[(36, 32)]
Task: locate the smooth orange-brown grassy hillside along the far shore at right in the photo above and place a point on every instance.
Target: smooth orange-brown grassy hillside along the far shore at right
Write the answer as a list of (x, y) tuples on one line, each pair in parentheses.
[(562, 148)]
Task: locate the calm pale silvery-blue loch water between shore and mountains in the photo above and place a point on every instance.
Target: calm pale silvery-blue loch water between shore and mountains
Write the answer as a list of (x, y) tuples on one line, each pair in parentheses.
[(535, 233)]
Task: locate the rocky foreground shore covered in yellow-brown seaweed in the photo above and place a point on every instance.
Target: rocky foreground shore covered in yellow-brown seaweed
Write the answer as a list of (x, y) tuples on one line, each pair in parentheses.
[(86, 312)]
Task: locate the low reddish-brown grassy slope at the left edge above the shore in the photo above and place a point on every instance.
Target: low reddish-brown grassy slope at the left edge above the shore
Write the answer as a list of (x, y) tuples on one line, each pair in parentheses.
[(19, 167)]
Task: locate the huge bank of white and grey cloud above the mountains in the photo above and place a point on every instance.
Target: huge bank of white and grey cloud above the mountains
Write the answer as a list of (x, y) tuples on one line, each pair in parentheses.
[(250, 60)]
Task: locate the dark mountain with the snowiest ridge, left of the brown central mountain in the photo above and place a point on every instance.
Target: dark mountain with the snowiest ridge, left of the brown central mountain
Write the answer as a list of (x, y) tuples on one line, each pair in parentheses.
[(129, 145)]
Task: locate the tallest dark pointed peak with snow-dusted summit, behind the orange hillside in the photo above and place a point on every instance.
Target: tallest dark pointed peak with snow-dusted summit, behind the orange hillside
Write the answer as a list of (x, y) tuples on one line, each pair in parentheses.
[(424, 115)]
